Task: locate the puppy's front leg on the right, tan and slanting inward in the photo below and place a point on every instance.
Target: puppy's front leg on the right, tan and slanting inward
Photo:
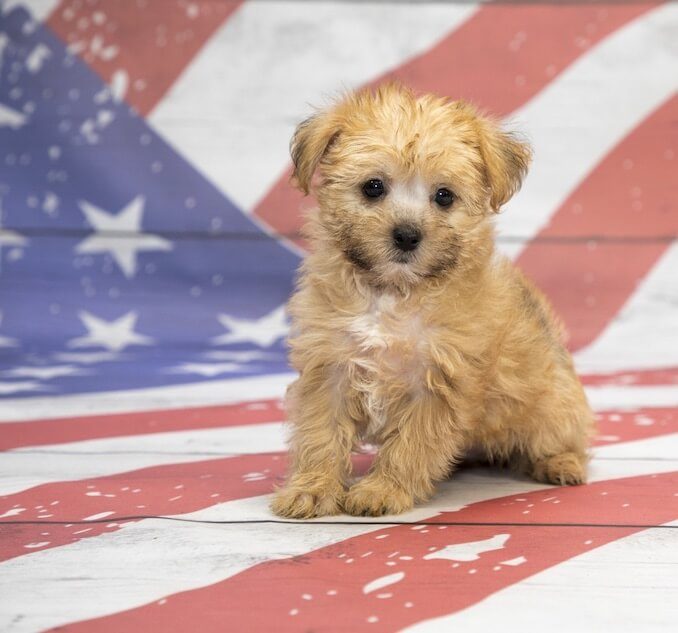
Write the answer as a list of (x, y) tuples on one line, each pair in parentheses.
[(419, 451)]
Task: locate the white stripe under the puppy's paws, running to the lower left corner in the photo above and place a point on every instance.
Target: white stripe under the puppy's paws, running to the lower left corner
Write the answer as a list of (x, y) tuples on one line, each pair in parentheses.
[(143, 562)]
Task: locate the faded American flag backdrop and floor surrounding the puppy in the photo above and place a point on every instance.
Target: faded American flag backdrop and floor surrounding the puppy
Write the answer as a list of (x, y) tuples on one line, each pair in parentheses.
[(149, 239)]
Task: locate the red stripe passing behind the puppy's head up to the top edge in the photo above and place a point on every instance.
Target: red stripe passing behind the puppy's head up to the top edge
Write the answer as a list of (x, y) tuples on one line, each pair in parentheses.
[(520, 47)]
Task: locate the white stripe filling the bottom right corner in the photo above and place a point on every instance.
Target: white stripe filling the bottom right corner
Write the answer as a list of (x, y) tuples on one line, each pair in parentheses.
[(626, 586)]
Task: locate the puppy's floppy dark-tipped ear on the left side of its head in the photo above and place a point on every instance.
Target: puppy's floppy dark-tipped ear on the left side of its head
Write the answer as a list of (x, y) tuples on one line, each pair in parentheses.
[(311, 140)]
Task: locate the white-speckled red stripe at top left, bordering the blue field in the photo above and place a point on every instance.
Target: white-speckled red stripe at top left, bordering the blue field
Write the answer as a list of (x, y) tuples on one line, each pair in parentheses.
[(151, 41)]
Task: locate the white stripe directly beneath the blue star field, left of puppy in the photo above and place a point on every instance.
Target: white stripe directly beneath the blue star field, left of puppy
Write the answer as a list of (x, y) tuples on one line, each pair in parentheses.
[(201, 394)]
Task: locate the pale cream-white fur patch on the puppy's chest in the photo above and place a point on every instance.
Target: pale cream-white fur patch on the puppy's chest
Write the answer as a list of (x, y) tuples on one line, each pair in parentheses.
[(389, 354)]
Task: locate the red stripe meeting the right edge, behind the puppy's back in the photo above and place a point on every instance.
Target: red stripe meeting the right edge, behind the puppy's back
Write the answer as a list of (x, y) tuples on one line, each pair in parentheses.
[(632, 193)]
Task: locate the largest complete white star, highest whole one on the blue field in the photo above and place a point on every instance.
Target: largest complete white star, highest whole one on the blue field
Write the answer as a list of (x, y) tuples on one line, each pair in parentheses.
[(120, 235)]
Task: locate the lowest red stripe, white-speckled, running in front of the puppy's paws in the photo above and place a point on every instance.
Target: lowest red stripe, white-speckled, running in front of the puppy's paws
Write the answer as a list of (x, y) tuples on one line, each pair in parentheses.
[(324, 589)]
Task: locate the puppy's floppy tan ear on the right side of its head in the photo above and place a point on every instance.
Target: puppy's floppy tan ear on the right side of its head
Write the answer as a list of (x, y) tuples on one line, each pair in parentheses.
[(506, 161)]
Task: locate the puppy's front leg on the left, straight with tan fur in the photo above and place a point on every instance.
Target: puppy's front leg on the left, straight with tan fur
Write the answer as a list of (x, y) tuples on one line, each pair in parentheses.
[(320, 451)]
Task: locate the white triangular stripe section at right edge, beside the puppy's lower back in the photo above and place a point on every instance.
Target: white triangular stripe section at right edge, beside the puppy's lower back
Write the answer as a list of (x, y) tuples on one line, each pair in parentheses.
[(644, 335)]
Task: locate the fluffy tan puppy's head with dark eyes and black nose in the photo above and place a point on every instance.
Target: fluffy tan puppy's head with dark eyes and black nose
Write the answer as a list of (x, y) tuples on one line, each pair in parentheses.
[(406, 184)]
